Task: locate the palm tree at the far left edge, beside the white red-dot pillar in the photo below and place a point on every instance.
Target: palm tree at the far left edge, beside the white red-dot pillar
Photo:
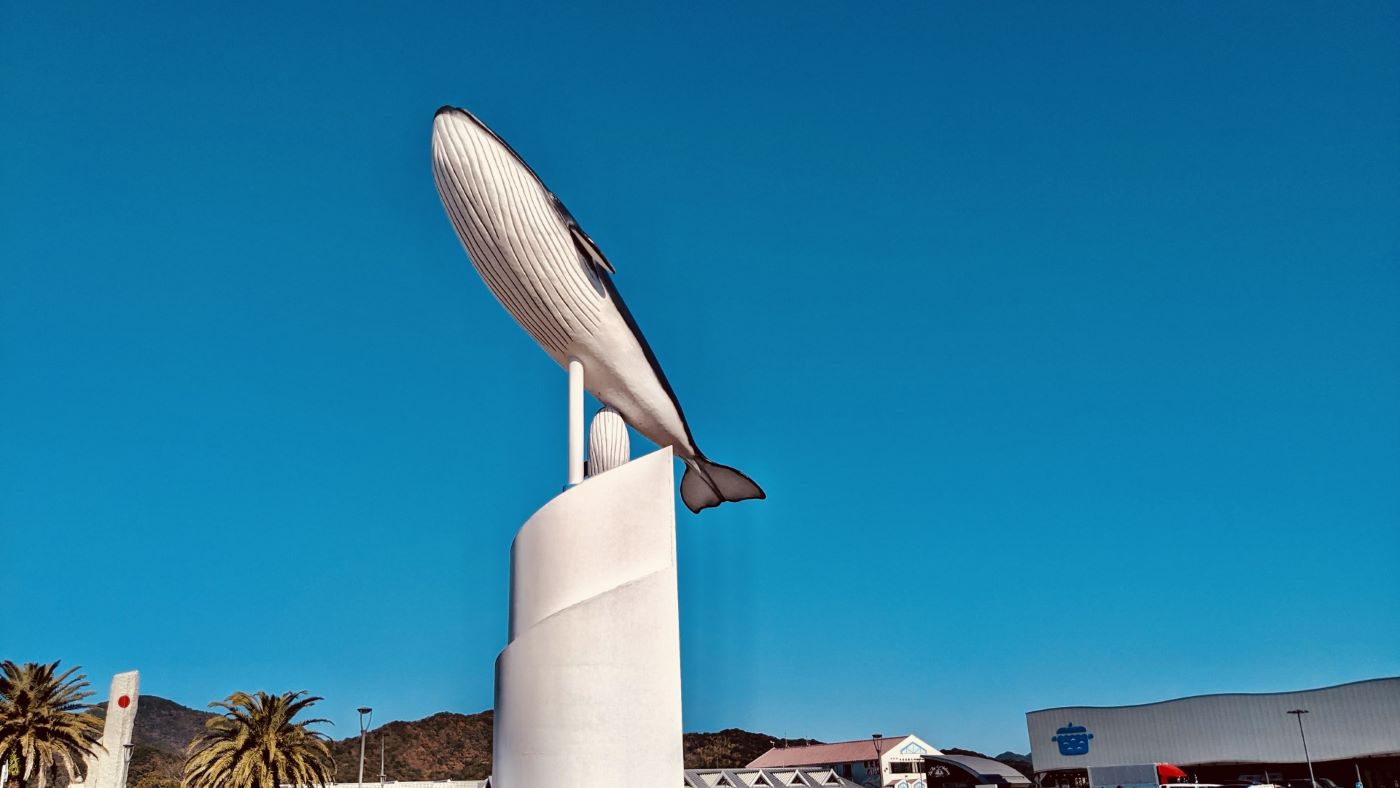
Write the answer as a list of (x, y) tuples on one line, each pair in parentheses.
[(44, 722)]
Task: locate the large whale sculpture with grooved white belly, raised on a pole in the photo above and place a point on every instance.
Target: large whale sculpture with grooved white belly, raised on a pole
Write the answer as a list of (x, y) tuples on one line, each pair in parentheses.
[(556, 283)]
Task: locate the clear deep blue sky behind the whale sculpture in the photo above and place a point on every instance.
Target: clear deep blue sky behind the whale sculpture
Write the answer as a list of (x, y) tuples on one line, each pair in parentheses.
[(1065, 339)]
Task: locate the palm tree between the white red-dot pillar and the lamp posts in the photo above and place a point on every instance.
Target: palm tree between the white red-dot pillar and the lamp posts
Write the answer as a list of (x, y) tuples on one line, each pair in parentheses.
[(254, 744)]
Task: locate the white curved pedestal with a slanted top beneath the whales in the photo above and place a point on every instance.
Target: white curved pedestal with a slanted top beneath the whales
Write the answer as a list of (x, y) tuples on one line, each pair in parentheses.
[(589, 689)]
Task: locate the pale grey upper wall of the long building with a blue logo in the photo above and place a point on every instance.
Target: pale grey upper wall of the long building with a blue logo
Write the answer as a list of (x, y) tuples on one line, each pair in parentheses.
[(1347, 722)]
